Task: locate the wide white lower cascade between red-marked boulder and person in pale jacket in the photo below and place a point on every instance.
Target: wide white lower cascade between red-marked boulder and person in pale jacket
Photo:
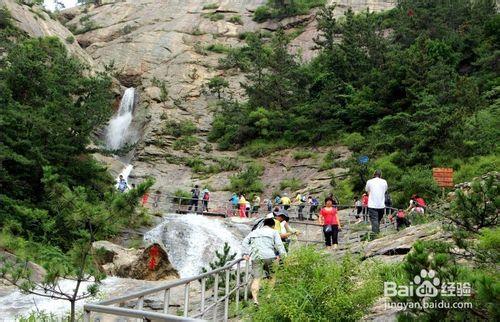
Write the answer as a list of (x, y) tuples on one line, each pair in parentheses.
[(191, 240)]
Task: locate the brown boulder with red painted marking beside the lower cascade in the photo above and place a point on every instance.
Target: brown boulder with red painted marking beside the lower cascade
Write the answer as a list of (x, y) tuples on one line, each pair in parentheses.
[(150, 263)]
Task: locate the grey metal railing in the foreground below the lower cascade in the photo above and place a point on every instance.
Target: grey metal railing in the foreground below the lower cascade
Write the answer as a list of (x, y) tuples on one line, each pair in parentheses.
[(229, 279)]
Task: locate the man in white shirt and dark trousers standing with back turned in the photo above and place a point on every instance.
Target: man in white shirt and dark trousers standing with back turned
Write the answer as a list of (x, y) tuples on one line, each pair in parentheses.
[(376, 188)]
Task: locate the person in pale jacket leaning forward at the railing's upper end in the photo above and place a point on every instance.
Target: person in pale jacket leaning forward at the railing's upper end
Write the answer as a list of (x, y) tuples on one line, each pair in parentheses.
[(261, 246)]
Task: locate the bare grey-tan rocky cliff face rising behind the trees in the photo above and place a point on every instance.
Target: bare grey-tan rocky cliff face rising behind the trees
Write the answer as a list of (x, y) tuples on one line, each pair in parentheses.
[(159, 48)]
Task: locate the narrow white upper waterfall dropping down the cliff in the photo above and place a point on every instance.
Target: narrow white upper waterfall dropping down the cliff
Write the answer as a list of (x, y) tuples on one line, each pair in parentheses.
[(117, 130)]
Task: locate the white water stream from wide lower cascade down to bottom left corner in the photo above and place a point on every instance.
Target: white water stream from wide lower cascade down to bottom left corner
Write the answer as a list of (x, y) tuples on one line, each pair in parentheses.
[(190, 241)]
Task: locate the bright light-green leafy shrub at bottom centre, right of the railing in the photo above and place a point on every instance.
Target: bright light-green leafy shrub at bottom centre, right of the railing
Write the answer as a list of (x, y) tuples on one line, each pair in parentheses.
[(311, 287)]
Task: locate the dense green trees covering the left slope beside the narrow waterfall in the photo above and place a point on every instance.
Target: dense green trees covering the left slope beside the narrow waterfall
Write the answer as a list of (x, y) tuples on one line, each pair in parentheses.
[(55, 199)]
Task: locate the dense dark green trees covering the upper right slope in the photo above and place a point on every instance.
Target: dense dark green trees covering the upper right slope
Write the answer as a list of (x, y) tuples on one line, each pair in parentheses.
[(417, 84)]
